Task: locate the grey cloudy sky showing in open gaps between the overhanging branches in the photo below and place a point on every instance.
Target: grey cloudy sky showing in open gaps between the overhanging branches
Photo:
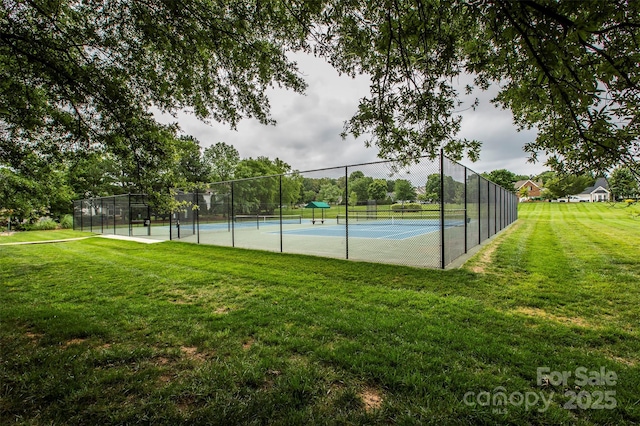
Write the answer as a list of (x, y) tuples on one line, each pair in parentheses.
[(307, 134)]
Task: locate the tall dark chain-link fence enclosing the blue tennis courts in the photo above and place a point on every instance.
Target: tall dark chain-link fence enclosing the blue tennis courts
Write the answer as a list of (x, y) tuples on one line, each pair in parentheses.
[(427, 214)]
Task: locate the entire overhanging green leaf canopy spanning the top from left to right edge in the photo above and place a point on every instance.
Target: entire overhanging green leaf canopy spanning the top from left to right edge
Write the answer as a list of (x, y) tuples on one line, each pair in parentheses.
[(86, 76)]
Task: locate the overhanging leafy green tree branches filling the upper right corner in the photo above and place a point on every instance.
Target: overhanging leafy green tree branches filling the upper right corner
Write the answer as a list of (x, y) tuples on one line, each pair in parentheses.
[(569, 72)]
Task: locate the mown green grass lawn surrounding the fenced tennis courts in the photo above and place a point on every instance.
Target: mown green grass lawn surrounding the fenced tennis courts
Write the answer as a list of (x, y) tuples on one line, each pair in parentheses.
[(102, 331)]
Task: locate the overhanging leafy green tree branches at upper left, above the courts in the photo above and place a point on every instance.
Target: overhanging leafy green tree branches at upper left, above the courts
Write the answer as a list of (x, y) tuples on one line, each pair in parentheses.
[(80, 77)]
